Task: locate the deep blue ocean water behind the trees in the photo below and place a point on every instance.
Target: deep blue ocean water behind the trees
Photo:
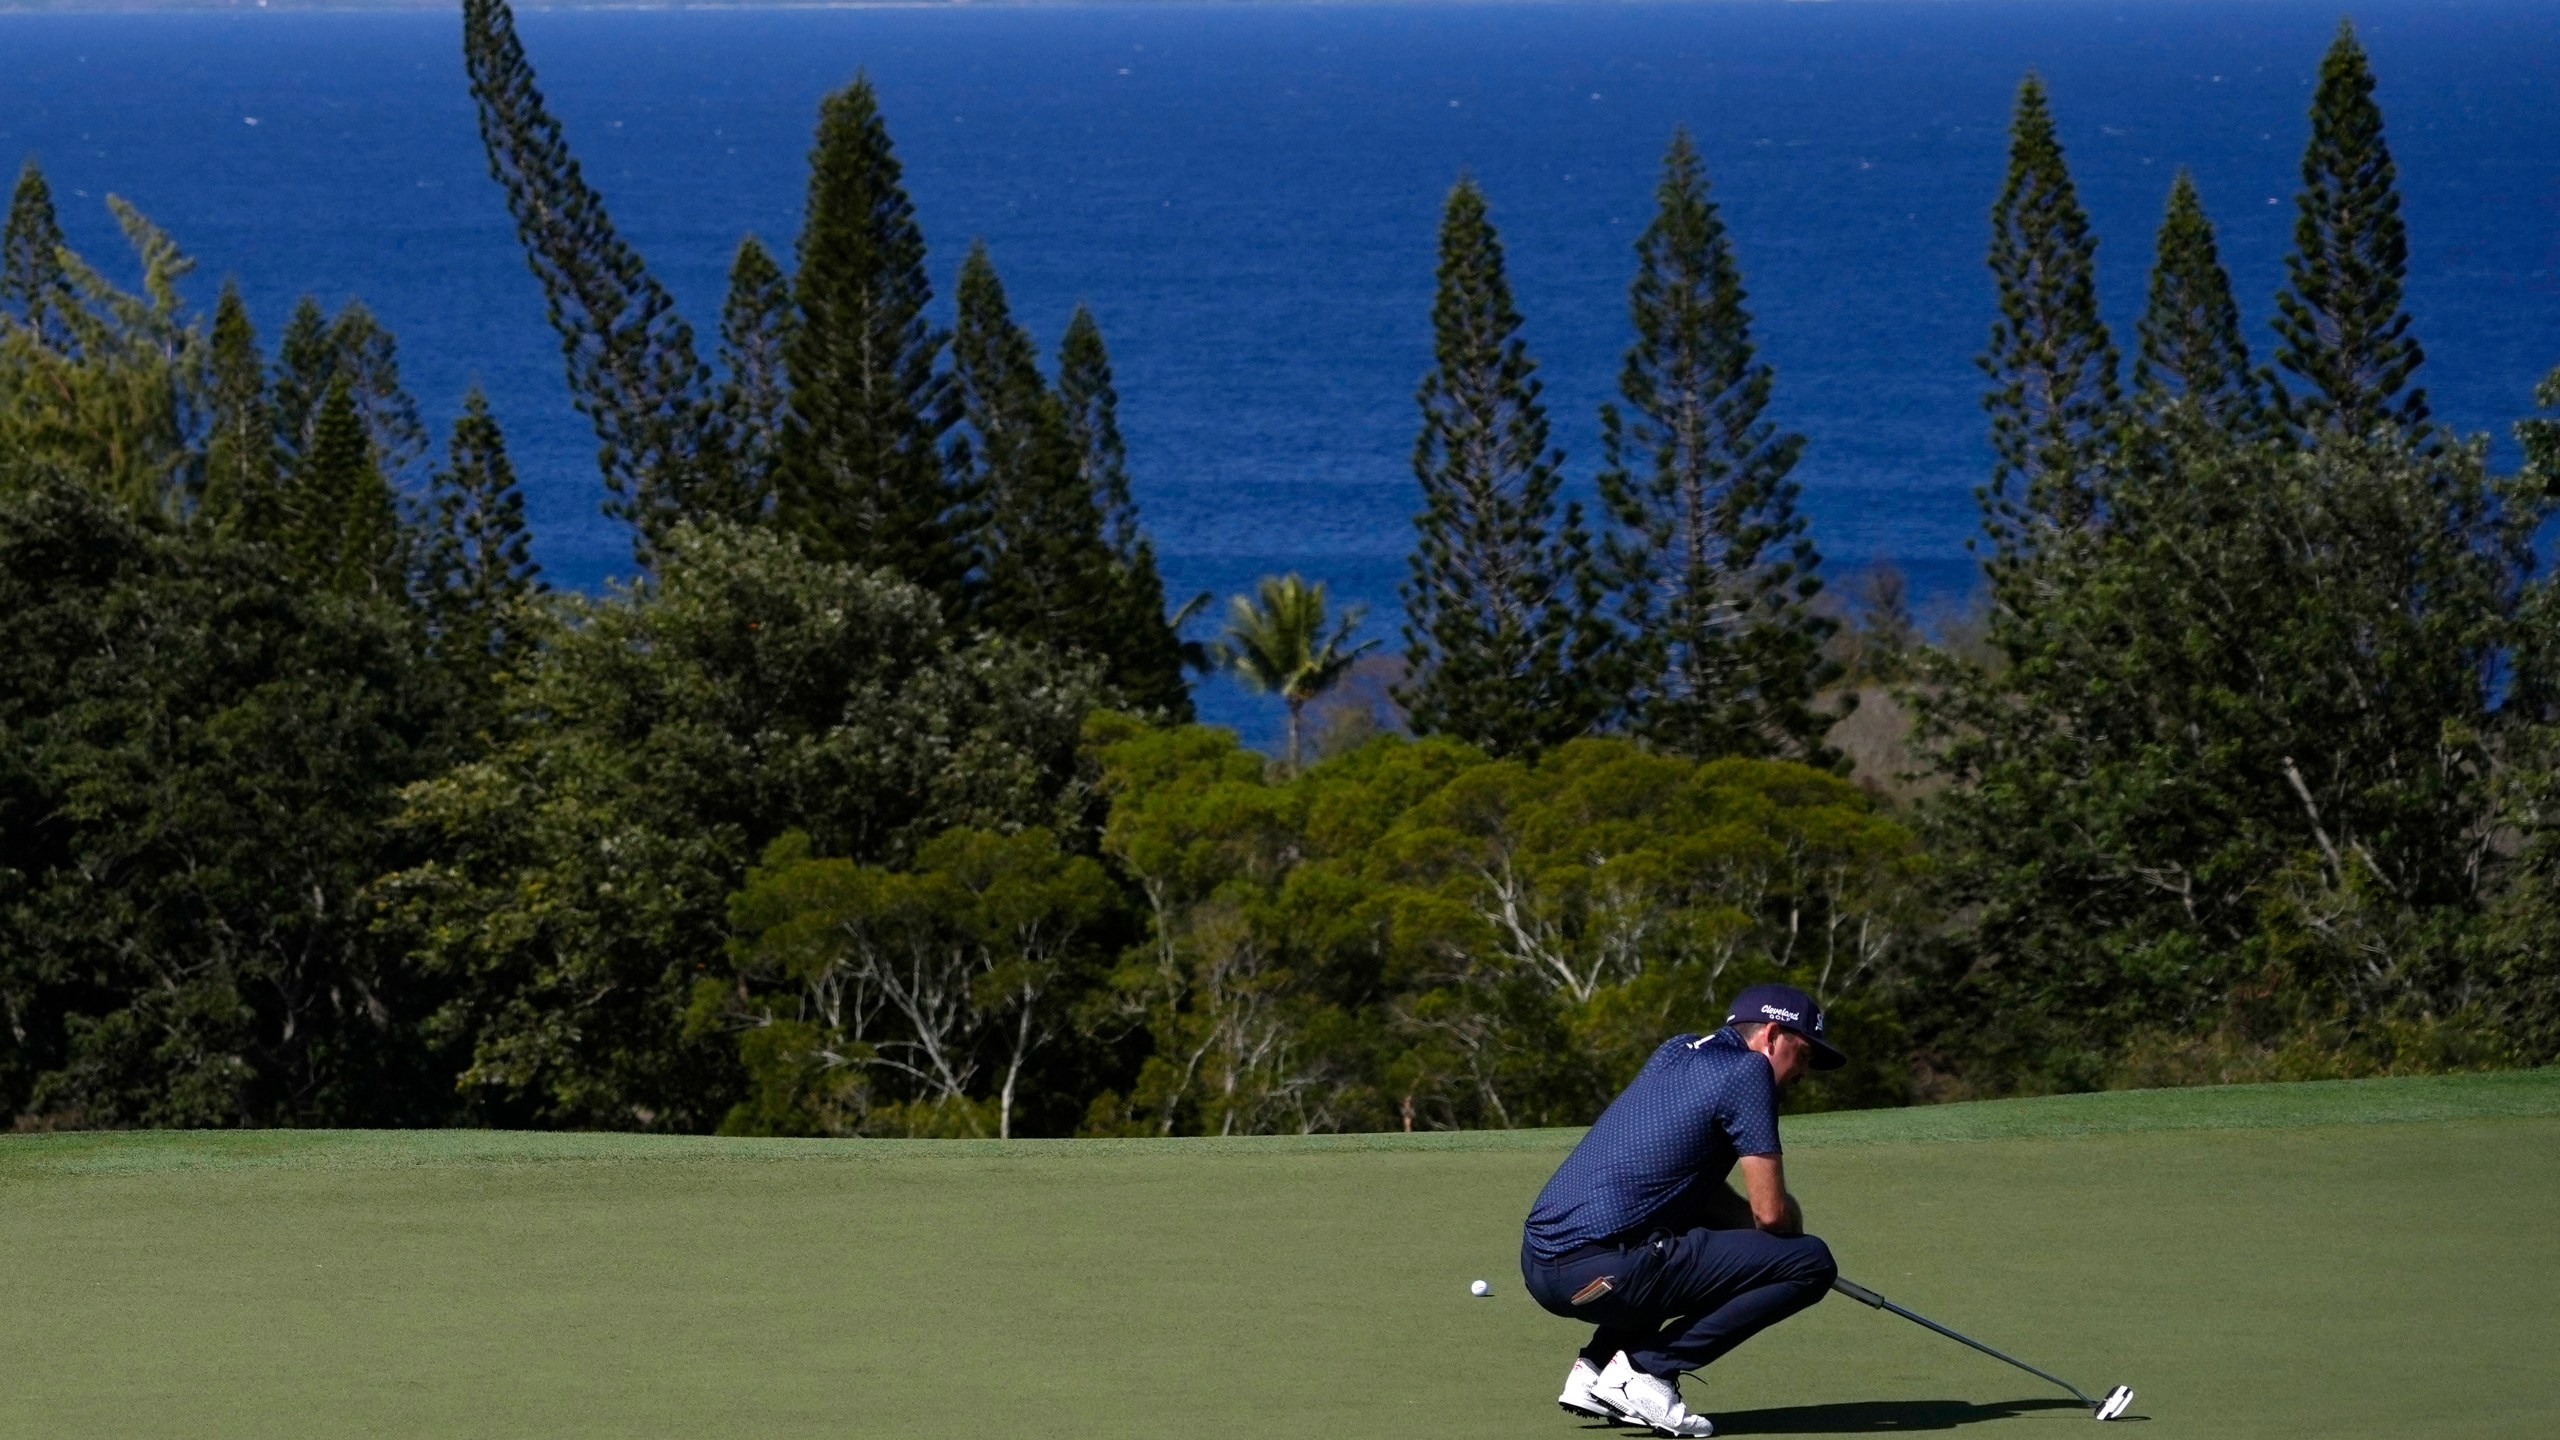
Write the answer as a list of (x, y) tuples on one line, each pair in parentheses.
[(1248, 196)]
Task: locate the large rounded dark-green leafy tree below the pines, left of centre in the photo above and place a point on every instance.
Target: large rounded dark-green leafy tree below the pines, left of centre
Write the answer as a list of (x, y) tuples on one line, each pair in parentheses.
[(664, 737)]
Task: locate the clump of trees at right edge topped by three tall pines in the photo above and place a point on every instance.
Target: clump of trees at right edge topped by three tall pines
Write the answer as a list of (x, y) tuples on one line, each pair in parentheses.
[(2234, 788)]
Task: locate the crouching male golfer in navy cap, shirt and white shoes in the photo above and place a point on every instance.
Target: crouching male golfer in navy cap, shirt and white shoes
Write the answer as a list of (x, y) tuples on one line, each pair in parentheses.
[(1642, 1239)]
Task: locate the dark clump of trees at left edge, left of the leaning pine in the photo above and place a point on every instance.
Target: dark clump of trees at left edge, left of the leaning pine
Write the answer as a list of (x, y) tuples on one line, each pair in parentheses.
[(239, 614)]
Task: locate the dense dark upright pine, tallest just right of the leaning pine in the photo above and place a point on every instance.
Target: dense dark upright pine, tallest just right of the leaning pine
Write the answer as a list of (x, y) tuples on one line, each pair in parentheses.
[(861, 470)]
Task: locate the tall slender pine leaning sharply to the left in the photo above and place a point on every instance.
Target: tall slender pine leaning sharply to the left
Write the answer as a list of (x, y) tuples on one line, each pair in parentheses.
[(631, 357)]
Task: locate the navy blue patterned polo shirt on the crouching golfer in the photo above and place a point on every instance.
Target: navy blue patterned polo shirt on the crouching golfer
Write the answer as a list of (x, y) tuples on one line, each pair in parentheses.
[(1696, 1108)]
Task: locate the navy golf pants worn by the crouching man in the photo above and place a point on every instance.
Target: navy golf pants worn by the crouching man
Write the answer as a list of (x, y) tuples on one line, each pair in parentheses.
[(1681, 1300)]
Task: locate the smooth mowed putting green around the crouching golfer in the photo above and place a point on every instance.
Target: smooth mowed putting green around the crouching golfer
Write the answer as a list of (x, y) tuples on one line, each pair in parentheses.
[(2336, 1259)]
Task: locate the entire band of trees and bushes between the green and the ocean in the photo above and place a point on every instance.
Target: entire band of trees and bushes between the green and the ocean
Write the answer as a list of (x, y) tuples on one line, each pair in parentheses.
[(874, 801)]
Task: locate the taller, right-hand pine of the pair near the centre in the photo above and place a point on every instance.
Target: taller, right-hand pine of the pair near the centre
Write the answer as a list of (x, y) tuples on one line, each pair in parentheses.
[(1709, 570)]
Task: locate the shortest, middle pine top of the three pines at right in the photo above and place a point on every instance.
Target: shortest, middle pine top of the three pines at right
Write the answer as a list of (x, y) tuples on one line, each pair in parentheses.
[(2190, 334)]
